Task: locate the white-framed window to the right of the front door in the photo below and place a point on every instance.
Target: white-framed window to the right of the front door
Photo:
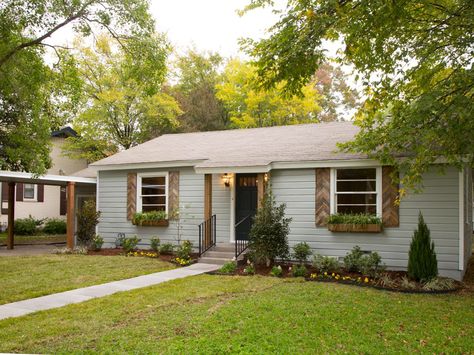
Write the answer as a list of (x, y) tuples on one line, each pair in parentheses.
[(356, 191)]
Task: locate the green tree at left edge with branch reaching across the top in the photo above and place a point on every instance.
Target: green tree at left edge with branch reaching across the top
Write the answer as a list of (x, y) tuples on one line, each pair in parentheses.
[(32, 92)]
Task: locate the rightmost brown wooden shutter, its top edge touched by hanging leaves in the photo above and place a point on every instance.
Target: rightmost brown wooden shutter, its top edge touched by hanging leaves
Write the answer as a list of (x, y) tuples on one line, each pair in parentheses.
[(390, 209)]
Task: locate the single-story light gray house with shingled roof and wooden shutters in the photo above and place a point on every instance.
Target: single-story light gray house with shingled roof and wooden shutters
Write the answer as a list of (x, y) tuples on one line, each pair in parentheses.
[(215, 180)]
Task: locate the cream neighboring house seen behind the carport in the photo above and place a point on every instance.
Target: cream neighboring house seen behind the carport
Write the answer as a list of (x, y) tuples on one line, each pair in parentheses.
[(44, 201)]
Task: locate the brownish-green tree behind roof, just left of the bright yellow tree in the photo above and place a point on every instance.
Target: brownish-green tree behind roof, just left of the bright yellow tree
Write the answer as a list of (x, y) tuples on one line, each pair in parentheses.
[(198, 74)]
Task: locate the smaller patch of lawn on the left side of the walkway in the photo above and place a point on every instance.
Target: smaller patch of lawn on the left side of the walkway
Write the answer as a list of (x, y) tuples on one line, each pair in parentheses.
[(33, 276)]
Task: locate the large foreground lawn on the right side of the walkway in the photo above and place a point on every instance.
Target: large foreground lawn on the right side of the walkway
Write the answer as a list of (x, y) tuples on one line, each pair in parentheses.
[(221, 314)]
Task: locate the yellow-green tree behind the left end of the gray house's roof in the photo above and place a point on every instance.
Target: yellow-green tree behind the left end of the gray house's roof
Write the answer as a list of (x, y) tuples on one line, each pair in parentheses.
[(122, 102)]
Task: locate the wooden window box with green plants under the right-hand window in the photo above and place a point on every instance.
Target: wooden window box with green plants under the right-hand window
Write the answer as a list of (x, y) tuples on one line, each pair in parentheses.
[(356, 223)]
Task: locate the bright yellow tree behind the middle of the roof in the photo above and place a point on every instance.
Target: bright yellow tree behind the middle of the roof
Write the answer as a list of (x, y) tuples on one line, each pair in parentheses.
[(250, 106)]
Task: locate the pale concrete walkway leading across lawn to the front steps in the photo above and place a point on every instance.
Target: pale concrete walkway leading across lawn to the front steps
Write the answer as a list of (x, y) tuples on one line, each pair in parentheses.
[(20, 308)]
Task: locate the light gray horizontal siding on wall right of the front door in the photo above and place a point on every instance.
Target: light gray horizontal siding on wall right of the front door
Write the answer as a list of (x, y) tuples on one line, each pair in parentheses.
[(439, 204)]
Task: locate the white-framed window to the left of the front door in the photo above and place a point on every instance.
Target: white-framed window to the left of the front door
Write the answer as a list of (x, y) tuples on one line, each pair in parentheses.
[(152, 192)]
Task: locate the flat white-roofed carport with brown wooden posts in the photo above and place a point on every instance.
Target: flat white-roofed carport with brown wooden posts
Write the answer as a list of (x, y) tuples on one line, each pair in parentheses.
[(72, 184)]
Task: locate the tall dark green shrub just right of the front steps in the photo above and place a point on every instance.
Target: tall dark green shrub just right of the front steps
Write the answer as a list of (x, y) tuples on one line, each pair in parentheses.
[(269, 232)]
